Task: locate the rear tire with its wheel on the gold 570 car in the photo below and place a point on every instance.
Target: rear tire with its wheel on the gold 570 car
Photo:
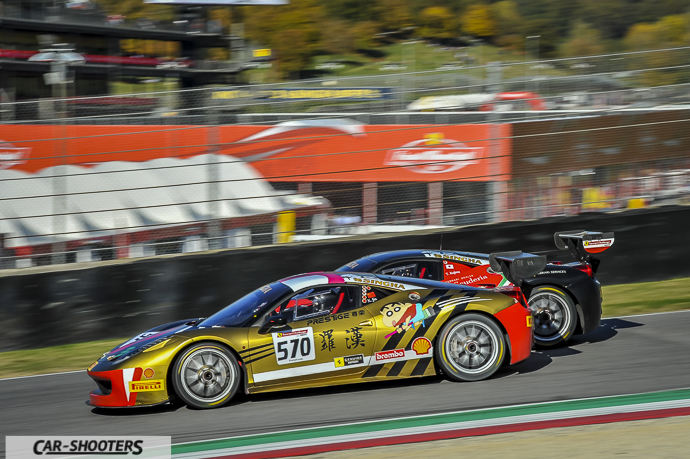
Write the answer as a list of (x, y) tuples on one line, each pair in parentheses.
[(471, 347)]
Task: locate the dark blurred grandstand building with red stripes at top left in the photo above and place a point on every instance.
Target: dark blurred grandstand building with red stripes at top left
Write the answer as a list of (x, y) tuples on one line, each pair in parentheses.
[(25, 26)]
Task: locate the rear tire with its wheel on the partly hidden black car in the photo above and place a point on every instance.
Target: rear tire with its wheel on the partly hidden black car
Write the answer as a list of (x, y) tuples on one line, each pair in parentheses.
[(555, 316)]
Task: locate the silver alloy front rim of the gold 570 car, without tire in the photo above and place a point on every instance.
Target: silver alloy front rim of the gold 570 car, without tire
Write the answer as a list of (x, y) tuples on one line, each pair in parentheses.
[(207, 375)]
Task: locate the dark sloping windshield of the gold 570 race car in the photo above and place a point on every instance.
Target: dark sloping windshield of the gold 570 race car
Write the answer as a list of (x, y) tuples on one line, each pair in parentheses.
[(239, 312)]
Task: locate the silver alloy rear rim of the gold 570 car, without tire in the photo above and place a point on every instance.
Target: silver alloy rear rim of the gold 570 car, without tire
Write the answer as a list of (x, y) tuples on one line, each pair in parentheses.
[(473, 347)]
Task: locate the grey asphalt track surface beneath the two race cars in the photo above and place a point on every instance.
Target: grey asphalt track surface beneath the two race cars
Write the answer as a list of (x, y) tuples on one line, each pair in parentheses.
[(624, 356)]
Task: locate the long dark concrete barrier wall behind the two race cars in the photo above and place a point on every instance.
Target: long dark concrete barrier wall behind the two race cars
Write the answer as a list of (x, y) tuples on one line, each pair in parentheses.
[(48, 306)]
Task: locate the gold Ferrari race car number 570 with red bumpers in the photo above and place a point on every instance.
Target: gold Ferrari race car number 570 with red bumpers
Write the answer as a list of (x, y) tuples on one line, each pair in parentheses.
[(322, 329)]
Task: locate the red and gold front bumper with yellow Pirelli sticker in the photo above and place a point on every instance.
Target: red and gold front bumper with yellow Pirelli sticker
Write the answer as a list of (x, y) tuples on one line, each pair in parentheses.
[(129, 387)]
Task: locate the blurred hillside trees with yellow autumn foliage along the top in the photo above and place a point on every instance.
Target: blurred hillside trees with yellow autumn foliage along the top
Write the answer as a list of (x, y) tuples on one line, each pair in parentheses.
[(306, 32)]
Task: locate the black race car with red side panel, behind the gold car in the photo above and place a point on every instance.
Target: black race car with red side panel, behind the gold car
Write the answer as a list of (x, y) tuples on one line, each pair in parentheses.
[(565, 298)]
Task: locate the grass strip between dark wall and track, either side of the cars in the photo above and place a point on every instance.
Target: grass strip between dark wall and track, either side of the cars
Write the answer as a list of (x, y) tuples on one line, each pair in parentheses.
[(619, 300)]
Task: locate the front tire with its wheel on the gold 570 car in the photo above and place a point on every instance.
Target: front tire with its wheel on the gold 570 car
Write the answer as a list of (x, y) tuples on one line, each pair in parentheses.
[(206, 375)]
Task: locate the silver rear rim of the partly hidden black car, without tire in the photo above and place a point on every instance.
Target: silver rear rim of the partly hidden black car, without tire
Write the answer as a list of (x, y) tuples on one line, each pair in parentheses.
[(552, 316)]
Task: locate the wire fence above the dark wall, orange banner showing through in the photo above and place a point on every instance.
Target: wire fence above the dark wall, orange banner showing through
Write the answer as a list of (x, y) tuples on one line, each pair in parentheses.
[(154, 173)]
